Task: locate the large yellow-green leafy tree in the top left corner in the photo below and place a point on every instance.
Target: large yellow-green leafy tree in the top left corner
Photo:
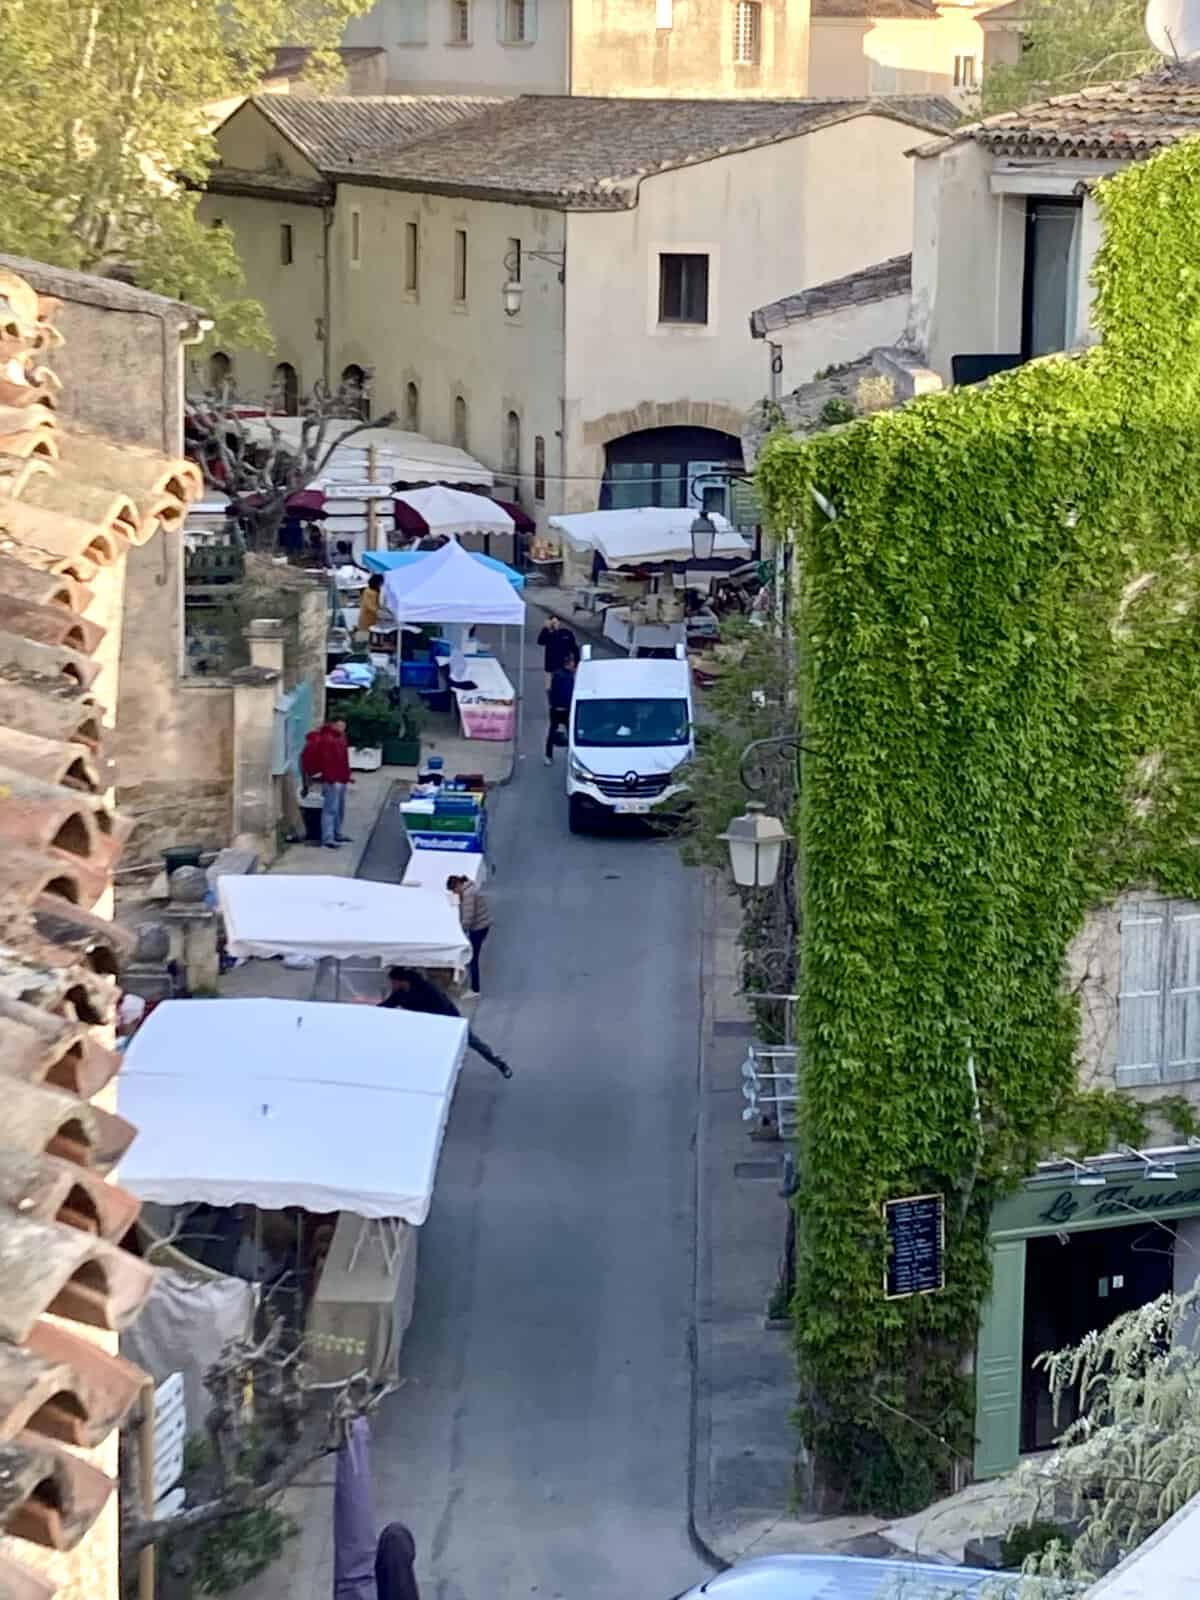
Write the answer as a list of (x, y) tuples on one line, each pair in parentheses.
[(108, 111)]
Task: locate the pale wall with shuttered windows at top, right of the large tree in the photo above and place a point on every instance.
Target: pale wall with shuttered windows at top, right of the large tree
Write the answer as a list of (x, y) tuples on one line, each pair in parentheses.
[(486, 65)]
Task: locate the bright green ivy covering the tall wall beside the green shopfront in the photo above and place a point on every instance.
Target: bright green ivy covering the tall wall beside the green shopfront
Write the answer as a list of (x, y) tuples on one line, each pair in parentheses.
[(1001, 668)]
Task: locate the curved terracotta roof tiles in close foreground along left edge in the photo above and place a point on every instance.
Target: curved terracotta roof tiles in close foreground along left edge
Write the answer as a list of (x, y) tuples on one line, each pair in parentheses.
[(71, 505)]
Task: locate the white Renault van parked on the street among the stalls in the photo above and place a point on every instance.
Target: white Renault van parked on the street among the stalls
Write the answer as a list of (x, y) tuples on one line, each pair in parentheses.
[(631, 732)]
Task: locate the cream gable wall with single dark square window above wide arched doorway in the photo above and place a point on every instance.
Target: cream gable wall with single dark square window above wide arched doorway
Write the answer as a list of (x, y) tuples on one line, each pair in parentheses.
[(774, 222)]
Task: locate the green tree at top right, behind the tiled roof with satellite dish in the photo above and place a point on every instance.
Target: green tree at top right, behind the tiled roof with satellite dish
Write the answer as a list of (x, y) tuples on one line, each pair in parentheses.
[(1071, 46)]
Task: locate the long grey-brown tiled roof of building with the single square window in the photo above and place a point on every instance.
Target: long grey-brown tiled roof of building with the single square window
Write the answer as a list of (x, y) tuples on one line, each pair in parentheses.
[(591, 154)]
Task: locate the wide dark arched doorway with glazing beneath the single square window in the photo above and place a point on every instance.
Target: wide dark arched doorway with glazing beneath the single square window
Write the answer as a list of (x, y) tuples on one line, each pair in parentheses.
[(670, 466)]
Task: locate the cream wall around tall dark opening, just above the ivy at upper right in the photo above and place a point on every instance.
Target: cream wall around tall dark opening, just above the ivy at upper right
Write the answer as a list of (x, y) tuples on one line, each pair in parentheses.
[(969, 254)]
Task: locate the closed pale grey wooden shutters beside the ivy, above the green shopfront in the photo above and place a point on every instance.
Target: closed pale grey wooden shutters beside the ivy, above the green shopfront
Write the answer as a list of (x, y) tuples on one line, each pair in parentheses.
[(1159, 1004)]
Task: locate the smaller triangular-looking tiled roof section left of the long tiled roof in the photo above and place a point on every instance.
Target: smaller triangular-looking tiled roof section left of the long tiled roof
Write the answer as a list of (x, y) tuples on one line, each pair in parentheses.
[(337, 127)]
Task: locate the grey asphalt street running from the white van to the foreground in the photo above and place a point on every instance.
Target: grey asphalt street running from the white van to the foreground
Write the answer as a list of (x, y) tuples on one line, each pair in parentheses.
[(540, 1446)]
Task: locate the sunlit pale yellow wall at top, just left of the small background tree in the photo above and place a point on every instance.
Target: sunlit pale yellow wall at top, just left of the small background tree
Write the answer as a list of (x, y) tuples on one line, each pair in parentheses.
[(895, 55)]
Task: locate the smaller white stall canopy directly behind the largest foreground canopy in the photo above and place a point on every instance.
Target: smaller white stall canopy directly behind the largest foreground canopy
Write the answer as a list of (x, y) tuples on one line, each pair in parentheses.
[(282, 914)]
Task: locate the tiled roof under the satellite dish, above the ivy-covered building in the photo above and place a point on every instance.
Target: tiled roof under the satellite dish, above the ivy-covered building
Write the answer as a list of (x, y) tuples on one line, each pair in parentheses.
[(1114, 122)]
